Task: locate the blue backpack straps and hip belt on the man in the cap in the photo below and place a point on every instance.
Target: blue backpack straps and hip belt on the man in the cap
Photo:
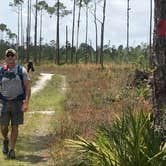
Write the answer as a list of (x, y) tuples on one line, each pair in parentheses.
[(20, 74)]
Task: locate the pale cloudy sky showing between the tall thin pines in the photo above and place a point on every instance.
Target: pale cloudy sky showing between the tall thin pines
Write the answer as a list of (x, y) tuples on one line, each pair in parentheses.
[(115, 23)]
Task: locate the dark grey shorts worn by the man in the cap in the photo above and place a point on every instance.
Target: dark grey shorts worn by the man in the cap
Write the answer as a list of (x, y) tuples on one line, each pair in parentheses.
[(11, 113)]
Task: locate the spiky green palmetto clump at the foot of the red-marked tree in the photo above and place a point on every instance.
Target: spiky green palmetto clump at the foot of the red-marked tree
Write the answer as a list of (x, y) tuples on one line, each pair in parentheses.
[(129, 141)]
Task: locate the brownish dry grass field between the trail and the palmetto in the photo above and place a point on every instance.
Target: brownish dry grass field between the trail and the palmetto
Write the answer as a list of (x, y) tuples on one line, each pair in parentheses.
[(93, 96)]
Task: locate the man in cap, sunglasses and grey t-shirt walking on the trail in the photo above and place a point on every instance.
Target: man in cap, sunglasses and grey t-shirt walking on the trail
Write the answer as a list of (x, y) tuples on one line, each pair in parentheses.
[(15, 90)]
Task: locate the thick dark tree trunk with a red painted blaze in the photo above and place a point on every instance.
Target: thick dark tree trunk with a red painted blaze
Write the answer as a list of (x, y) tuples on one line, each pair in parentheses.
[(160, 66)]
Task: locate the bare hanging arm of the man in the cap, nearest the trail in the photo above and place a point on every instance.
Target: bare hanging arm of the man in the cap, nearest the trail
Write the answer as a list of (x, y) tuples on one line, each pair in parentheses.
[(27, 85)]
